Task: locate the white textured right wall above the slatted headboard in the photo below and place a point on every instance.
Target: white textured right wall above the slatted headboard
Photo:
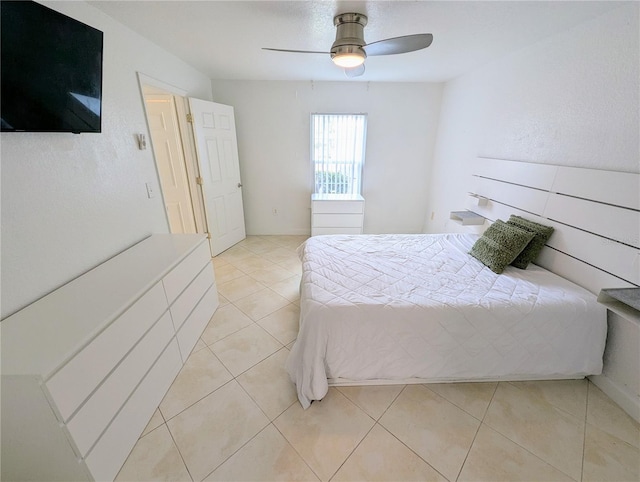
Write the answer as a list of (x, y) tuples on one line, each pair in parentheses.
[(571, 100)]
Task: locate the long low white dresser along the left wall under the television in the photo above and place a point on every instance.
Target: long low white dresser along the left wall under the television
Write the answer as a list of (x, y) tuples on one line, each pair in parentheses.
[(85, 367)]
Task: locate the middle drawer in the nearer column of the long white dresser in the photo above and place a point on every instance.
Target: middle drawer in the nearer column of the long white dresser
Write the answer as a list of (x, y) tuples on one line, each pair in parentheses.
[(95, 415)]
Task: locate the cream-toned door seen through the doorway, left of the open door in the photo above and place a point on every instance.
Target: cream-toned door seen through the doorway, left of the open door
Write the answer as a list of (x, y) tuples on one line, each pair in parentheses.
[(167, 148)]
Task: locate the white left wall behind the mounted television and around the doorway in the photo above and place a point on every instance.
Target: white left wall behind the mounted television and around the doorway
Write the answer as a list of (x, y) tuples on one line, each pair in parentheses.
[(71, 201)]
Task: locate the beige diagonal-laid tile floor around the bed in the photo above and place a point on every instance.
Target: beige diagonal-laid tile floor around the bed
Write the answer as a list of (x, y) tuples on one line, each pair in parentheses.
[(232, 412)]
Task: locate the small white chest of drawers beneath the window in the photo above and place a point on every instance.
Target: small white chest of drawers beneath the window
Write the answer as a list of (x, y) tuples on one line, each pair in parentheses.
[(336, 214)]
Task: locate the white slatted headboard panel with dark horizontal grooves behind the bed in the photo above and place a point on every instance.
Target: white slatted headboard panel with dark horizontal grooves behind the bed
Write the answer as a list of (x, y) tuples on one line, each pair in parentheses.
[(595, 213)]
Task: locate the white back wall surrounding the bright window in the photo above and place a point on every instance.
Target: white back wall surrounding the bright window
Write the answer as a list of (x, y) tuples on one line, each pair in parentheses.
[(272, 120)]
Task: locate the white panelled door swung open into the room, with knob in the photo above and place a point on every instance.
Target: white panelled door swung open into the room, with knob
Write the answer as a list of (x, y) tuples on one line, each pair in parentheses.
[(214, 128)]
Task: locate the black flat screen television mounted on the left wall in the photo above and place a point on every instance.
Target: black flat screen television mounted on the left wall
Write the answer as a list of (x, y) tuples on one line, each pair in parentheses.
[(50, 72)]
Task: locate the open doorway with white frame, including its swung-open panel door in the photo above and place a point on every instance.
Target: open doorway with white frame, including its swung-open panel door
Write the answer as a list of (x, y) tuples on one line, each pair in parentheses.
[(196, 153)]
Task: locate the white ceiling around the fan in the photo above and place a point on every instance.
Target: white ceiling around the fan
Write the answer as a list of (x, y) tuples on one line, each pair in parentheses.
[(223, 39)]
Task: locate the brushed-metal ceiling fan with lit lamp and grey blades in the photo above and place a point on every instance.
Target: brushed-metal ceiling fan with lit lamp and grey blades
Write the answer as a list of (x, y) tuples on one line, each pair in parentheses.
[(349, 50)]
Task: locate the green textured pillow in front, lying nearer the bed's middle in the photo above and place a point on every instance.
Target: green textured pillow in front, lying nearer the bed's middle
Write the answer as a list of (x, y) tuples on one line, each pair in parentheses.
[(499, 245)]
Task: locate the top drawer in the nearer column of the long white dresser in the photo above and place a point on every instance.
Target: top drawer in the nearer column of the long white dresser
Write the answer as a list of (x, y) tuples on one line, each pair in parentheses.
[(75, 381)]
